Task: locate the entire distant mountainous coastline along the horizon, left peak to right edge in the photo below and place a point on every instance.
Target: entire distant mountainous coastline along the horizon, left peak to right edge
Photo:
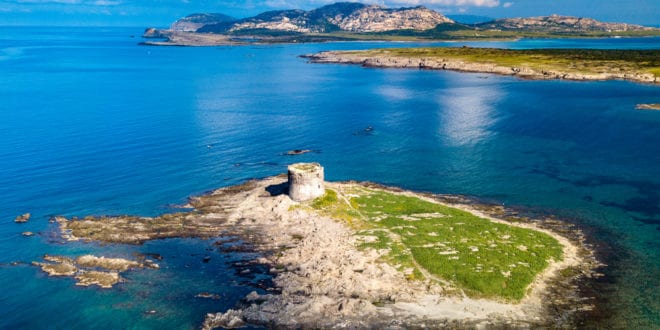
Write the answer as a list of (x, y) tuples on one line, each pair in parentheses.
[(298, 25)]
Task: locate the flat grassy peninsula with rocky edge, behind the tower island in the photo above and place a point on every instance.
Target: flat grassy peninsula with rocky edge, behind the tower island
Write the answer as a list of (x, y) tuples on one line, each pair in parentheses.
[(571, 64)]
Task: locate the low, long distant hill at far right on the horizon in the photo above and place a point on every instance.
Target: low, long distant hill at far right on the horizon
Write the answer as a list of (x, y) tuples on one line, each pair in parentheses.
[(558, 24)]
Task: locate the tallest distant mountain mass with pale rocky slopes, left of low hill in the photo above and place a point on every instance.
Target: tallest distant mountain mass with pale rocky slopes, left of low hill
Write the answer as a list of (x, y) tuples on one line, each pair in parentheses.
[(341, 16)]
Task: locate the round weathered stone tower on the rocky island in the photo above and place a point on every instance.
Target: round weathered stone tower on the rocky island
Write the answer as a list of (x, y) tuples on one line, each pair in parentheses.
[(305, 181)]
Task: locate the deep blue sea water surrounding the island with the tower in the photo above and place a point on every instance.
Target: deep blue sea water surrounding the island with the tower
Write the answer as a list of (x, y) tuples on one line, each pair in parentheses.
[(92, 123)]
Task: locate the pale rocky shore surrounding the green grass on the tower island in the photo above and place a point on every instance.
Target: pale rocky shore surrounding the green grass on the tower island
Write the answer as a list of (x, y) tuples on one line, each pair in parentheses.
[(324, 280)]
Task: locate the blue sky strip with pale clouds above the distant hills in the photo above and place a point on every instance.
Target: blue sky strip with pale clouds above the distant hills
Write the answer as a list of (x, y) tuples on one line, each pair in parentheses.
[(161, 13)]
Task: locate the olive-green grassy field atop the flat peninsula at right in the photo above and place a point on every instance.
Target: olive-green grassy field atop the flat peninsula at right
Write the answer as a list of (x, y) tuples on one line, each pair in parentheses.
[(591, 61)]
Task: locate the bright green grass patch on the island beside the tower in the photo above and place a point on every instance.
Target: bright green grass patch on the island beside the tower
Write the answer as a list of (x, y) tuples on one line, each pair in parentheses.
[(429, 240)]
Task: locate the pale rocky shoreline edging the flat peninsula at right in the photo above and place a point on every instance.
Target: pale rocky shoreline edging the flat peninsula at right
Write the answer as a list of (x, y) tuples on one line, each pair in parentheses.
[(392, 61)]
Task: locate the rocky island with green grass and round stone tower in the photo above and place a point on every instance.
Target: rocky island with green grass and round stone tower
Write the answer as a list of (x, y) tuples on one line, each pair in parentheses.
[(355, 254)]
